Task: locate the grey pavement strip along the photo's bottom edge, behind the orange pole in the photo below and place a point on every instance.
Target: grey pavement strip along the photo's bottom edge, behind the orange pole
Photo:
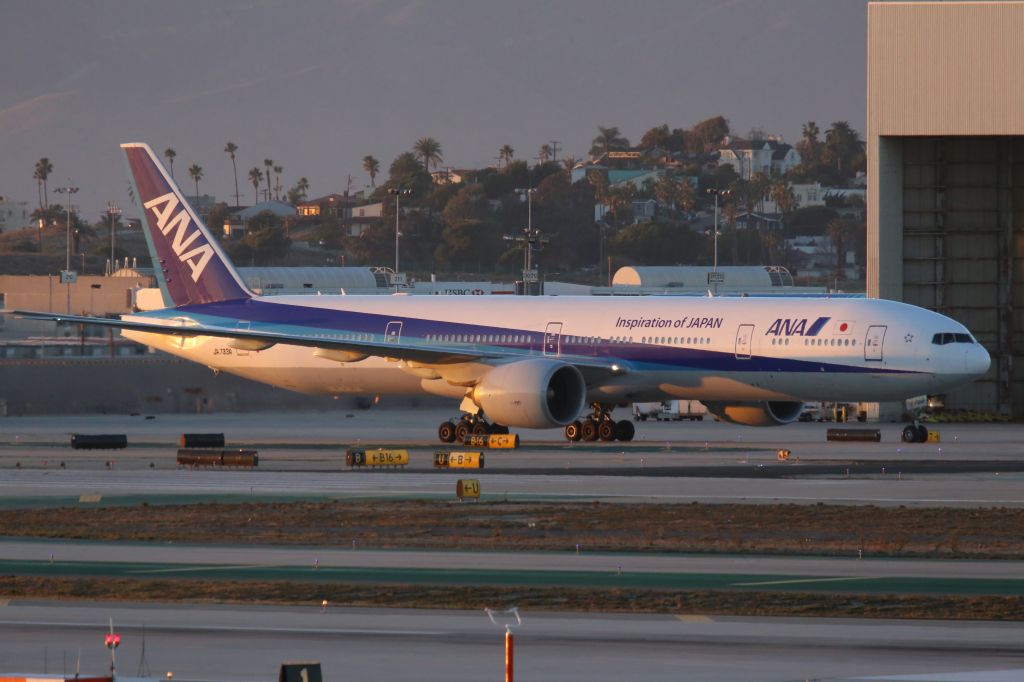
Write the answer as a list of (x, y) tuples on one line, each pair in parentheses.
[(237, 643)]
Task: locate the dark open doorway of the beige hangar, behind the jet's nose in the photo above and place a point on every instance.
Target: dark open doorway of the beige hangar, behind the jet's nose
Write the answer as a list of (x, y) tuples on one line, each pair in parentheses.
[(963, 203)]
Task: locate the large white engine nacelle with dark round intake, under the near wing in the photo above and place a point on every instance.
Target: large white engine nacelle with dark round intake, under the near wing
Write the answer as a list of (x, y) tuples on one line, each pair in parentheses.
[(533, 394)]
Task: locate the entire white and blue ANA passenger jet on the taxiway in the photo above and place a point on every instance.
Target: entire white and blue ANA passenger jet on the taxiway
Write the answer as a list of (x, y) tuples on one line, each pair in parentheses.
[(535, 362)]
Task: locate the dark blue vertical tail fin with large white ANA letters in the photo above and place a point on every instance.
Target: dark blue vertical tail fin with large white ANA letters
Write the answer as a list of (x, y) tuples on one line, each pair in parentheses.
[(187, 260)]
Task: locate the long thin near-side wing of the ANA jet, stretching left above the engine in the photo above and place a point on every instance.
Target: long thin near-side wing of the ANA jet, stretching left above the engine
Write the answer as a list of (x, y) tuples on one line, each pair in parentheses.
[(418, 352)]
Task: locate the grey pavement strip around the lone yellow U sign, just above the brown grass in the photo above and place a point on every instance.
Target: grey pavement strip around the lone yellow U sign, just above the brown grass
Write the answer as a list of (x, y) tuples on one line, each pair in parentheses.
[(37, 487)]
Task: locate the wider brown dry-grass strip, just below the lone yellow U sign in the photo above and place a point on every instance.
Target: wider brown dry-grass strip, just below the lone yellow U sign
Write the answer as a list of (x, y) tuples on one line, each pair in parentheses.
[(828, 530)]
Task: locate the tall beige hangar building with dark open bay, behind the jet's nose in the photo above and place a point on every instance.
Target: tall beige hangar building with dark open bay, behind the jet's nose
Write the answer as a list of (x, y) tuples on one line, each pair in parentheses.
[(946, 168)]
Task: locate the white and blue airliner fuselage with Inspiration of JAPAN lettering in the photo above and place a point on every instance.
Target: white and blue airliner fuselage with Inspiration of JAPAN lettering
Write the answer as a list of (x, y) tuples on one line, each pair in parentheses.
[(669, 348)]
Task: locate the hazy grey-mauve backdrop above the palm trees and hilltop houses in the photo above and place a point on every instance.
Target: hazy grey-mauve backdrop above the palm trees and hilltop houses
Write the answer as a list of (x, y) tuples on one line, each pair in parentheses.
[(317, 86)]
